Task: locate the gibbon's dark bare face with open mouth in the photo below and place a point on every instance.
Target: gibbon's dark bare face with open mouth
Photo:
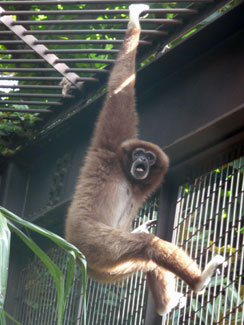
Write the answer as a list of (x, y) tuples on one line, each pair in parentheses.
[(142, 161)]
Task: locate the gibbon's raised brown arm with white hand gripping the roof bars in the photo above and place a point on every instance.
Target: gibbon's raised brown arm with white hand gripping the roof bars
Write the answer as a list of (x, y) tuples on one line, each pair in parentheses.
[(118, 118)]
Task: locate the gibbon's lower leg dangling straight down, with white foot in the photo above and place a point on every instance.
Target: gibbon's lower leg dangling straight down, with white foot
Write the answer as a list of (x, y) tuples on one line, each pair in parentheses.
[(162, 286)]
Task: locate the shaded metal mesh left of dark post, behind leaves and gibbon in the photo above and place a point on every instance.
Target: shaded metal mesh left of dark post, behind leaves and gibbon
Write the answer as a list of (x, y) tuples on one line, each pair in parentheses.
[(121, 303)]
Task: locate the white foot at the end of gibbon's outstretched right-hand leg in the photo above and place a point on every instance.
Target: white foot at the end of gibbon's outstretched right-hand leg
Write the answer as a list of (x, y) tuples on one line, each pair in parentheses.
[(209, 271)]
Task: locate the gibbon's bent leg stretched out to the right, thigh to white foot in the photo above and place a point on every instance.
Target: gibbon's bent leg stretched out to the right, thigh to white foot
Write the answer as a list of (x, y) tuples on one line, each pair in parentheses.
[(117, 254)]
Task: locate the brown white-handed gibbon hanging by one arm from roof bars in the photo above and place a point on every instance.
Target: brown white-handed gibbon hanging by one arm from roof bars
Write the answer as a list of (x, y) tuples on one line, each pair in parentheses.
[(119, 174)]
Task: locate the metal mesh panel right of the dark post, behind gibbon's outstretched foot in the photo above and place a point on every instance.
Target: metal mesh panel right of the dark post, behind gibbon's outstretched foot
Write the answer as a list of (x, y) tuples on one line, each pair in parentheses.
[(209, 221)]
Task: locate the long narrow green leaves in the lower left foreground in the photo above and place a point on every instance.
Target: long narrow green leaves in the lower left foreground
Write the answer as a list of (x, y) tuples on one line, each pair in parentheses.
[(62, 281)]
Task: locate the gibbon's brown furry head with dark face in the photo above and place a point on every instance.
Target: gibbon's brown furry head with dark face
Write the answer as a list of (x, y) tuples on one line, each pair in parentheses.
[(143, 161)]
